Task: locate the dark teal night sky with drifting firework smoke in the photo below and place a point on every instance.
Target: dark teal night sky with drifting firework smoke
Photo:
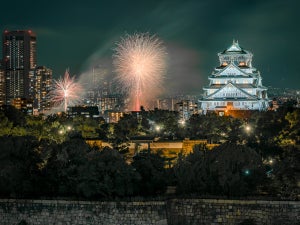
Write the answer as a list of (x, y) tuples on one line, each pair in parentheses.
[(82, 34)]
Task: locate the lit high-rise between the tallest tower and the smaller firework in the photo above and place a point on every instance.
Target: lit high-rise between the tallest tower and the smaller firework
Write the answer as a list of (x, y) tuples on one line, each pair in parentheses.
[(42, 81)]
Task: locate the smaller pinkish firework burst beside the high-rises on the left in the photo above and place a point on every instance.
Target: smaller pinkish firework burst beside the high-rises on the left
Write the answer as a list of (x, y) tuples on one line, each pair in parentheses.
[(66, 91)]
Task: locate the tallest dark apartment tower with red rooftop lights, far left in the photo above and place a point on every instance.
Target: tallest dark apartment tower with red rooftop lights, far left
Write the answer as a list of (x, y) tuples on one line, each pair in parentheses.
[(19, 62)]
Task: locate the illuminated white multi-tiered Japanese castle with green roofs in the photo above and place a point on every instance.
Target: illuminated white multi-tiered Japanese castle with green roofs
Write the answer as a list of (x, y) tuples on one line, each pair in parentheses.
[(235, 84)]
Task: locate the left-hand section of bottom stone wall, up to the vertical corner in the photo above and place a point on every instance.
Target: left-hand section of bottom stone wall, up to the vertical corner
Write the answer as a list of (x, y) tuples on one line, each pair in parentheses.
[(45, 212)]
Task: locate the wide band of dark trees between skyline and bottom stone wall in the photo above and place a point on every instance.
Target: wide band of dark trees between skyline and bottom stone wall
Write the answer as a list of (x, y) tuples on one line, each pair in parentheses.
[(49, 157)]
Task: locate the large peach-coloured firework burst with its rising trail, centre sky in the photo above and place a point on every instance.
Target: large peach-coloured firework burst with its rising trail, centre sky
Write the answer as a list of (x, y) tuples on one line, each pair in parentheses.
[(140, 63)]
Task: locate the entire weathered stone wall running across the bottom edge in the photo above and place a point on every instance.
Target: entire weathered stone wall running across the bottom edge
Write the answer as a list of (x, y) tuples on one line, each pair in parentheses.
[(170, 212)]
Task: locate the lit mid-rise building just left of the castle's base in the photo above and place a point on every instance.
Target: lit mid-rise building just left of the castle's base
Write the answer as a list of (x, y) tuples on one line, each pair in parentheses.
[(186, 108)]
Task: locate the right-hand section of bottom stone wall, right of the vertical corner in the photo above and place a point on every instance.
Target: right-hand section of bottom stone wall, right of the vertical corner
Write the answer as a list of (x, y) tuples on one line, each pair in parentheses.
[(231, 212)]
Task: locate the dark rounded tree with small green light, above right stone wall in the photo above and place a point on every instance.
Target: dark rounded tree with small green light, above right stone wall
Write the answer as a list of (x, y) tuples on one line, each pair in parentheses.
[(239, 169)]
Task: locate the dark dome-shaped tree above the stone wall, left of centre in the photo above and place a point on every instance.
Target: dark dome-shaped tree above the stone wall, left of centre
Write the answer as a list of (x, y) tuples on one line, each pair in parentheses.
[(106, 174)]
